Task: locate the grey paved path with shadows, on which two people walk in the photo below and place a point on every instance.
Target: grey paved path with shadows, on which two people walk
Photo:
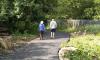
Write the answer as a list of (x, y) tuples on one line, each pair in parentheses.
[(46, 49)]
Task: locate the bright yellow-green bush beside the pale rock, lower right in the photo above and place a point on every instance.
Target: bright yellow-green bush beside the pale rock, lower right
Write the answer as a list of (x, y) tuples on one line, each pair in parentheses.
[(88, 48)]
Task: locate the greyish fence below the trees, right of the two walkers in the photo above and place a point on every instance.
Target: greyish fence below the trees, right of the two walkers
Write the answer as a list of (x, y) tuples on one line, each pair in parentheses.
[(77, 23)]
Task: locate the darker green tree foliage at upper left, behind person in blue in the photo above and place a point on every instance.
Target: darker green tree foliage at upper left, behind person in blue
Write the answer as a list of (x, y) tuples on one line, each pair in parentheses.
[(22, 14)]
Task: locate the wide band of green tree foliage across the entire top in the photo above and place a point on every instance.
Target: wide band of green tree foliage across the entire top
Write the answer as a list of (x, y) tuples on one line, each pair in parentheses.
[(17, 12)]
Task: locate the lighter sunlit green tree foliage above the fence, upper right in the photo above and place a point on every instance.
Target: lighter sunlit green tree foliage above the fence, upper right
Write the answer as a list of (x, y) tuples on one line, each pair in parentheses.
[(79, 9)]
